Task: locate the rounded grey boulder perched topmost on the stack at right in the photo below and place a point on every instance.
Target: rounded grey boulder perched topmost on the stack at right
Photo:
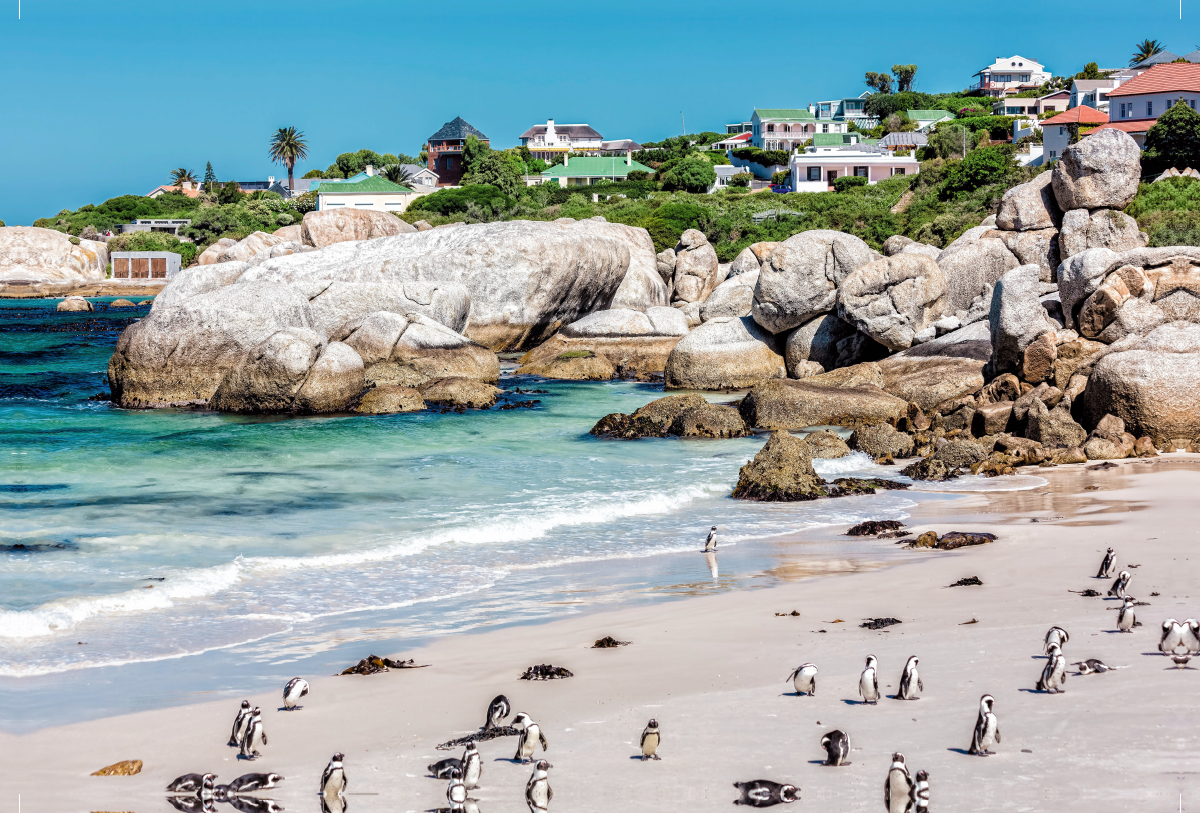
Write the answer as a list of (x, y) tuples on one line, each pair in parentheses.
[(1102, 171)]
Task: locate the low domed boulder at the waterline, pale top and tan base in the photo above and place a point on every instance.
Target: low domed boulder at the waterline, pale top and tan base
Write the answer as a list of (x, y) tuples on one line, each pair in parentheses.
[(724, 354)]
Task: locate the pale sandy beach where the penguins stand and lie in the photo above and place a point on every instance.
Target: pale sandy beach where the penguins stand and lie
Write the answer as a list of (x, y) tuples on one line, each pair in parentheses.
[(712, 671)]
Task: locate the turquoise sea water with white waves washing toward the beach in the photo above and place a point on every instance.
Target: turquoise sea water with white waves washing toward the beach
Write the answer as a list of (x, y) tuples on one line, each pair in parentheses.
[(151, 556)]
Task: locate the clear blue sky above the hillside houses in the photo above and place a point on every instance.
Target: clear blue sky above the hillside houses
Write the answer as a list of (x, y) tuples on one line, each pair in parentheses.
[(105, 99)]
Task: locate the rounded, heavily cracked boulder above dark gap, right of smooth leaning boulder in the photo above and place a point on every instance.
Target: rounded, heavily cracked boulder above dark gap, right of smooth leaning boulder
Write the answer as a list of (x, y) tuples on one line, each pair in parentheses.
[(895, 300)]
